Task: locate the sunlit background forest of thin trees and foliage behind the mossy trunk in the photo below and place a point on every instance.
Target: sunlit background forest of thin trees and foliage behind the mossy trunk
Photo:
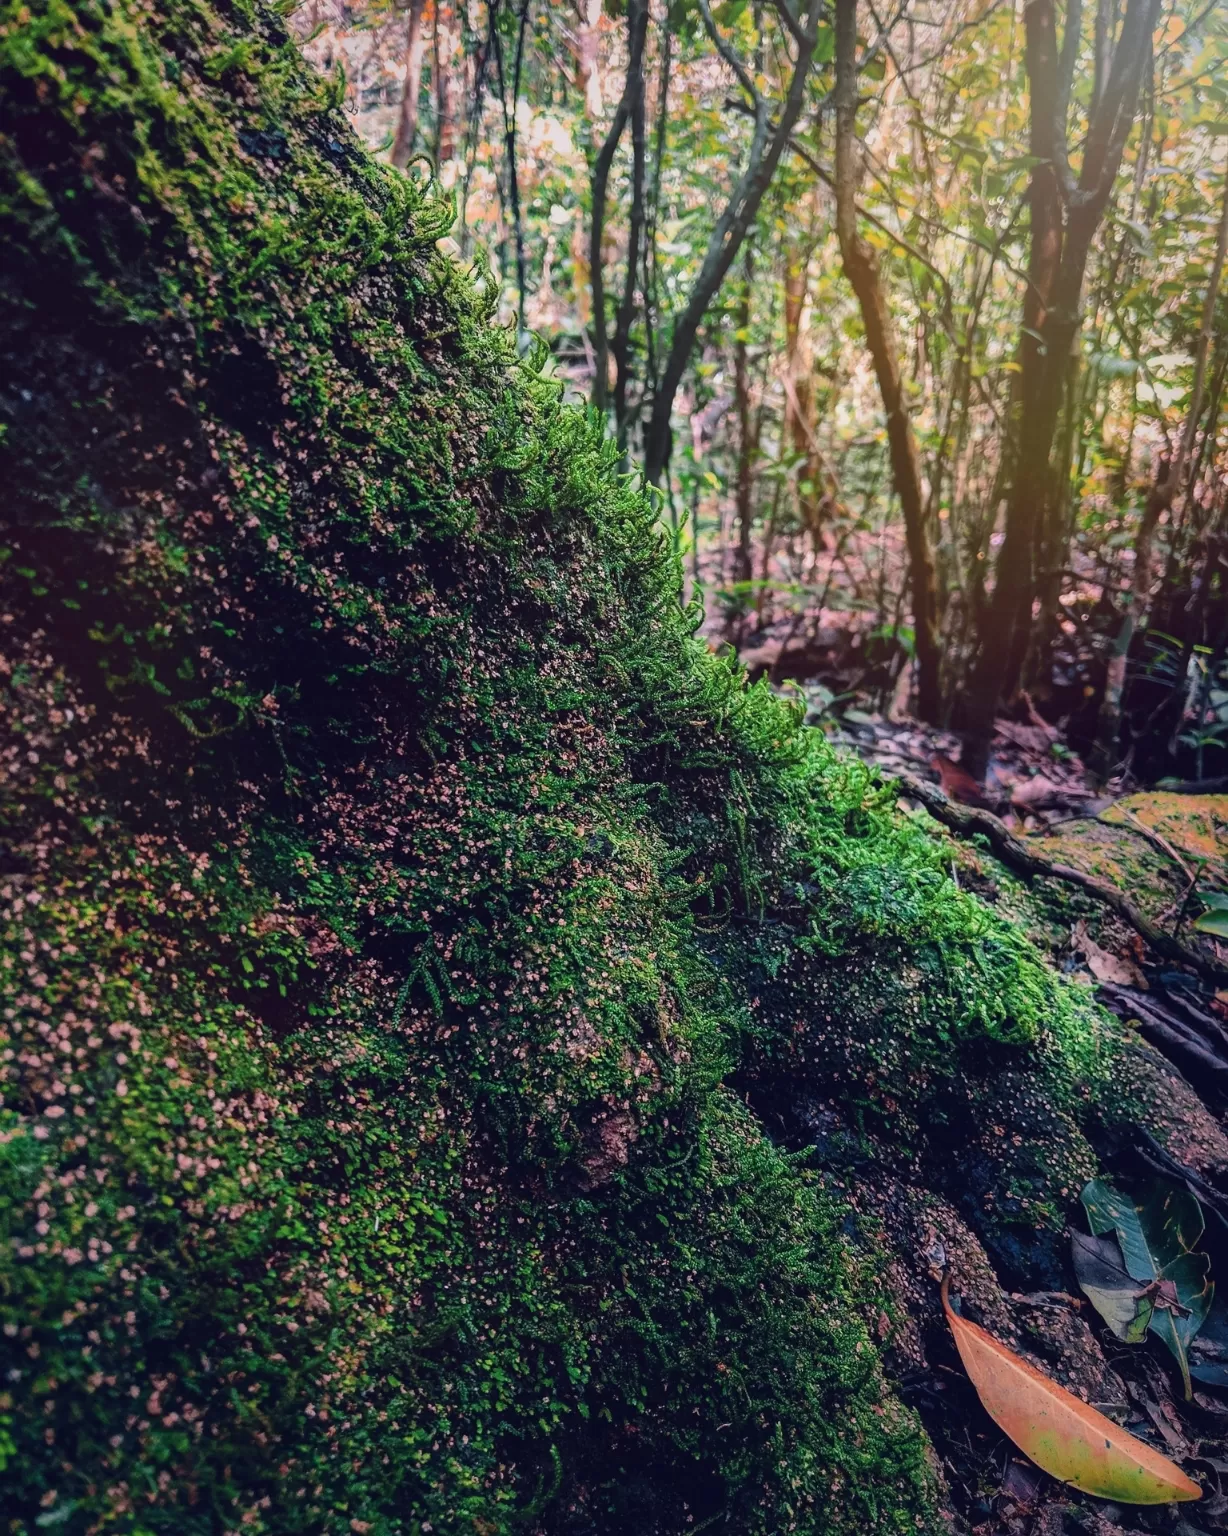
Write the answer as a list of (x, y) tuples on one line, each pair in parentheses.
[(977, 420)]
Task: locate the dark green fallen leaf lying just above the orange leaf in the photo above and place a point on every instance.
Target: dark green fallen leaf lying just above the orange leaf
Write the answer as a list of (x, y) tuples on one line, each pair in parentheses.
[(1158, 1234)]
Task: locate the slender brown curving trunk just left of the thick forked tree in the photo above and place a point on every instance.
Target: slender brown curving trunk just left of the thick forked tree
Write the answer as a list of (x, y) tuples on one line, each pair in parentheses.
[(863, 273)]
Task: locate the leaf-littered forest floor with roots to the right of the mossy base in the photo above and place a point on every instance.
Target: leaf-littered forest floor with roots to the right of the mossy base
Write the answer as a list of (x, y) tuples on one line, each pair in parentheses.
[(1166, 850)]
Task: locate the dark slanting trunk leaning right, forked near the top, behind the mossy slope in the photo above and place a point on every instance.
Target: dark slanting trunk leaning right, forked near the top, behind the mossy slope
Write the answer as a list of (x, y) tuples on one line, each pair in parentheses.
[(731, 231)]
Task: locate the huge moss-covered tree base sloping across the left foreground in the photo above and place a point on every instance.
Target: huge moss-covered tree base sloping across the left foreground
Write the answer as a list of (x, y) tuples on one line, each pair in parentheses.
[(471, 1064)]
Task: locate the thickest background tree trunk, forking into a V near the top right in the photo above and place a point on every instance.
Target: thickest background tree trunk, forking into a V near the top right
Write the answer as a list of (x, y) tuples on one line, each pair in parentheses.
[(1064, 219)]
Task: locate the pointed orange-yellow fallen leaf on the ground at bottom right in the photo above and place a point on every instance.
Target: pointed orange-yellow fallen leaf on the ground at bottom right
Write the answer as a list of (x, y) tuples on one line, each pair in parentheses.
[(1064, 1437)]
